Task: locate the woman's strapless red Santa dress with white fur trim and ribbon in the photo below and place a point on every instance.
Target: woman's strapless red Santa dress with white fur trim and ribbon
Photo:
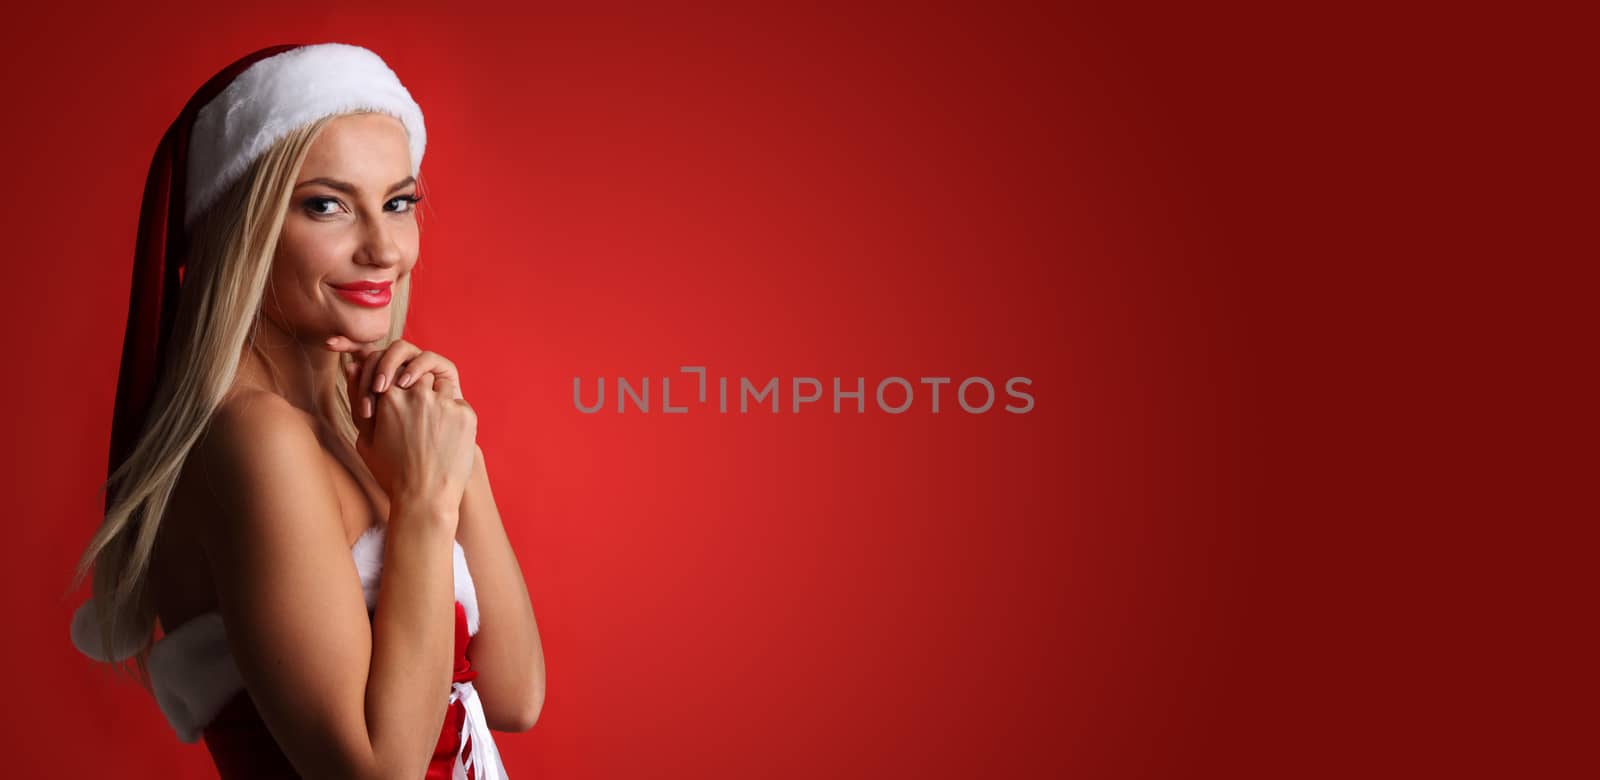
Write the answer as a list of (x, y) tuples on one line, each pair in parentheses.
[(202, 694)]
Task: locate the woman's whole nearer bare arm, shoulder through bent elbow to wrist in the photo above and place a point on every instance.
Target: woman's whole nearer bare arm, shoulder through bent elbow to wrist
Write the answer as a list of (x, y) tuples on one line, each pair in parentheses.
[(343, 698)]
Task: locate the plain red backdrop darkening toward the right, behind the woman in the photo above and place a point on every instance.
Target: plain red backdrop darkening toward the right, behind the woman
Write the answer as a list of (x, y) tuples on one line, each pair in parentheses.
[(1278, 511)]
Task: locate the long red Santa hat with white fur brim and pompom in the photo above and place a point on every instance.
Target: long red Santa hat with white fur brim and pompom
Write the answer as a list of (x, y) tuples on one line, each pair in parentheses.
[(226, 125)]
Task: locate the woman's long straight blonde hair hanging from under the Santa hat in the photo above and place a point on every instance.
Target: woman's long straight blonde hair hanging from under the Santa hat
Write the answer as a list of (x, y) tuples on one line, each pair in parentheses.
[(218, 316)]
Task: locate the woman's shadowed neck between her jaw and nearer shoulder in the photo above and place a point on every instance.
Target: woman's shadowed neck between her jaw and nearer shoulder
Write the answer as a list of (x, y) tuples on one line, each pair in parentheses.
[(305, 373)]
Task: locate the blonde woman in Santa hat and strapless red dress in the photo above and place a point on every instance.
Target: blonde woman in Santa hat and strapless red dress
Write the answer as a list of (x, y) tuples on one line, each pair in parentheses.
[(297, 491)]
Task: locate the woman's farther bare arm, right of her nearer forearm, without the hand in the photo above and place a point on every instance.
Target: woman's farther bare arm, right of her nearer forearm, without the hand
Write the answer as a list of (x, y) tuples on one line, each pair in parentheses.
[(506, 650)]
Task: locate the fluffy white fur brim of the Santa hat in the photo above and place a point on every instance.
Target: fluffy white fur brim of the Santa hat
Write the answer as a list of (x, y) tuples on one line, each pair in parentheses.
[(282, 94)]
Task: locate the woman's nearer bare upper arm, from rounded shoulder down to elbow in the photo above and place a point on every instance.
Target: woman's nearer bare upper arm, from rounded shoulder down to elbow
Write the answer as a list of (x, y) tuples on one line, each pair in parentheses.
[(287, 586)]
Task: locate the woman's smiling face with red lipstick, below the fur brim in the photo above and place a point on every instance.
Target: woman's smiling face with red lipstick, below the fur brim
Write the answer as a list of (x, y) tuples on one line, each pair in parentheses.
[(350, 234)]
